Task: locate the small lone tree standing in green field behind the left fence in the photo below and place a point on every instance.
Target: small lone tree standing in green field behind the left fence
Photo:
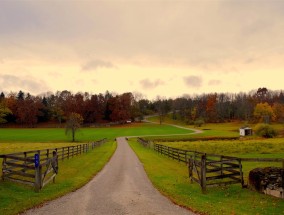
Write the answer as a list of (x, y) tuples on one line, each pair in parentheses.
[(73, 124)]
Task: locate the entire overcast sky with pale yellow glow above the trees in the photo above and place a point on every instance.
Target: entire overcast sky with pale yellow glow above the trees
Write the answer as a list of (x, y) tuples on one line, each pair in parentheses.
[(167, 48)]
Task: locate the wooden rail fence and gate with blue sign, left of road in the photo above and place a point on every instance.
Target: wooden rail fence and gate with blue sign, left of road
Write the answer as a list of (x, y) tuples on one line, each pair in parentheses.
[(39, 167)]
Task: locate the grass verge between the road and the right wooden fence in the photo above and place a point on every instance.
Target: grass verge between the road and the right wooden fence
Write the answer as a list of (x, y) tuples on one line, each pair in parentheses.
[(171, 179)]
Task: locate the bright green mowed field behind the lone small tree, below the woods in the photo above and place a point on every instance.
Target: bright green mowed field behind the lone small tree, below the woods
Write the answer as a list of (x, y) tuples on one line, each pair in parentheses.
[(84, 134)]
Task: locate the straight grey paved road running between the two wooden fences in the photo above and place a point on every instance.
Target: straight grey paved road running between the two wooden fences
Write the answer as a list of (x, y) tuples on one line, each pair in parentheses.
[(122, 187)]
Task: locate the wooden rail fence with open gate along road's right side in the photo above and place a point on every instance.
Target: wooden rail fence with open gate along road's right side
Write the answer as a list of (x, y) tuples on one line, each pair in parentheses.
[(210, 169)]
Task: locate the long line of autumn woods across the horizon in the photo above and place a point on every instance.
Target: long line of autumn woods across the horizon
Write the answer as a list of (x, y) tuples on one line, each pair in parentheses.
[(27, 110)]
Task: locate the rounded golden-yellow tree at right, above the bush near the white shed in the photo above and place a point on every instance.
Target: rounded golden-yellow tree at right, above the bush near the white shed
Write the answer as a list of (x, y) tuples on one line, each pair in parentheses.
[(263, 112)]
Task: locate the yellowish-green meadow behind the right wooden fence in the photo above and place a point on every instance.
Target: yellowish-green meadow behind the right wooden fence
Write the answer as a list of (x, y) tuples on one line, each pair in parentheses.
[(246, 148)]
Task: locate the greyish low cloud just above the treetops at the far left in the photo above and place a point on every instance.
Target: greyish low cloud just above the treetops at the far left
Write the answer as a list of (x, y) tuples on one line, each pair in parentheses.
[(26, 83)]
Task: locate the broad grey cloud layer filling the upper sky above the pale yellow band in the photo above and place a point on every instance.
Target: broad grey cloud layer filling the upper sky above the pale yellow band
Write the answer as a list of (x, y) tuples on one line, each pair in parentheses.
[(196, 33)]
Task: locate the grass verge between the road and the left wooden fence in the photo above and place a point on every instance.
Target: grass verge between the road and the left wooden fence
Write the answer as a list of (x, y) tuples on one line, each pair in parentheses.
[(73, 174)]
